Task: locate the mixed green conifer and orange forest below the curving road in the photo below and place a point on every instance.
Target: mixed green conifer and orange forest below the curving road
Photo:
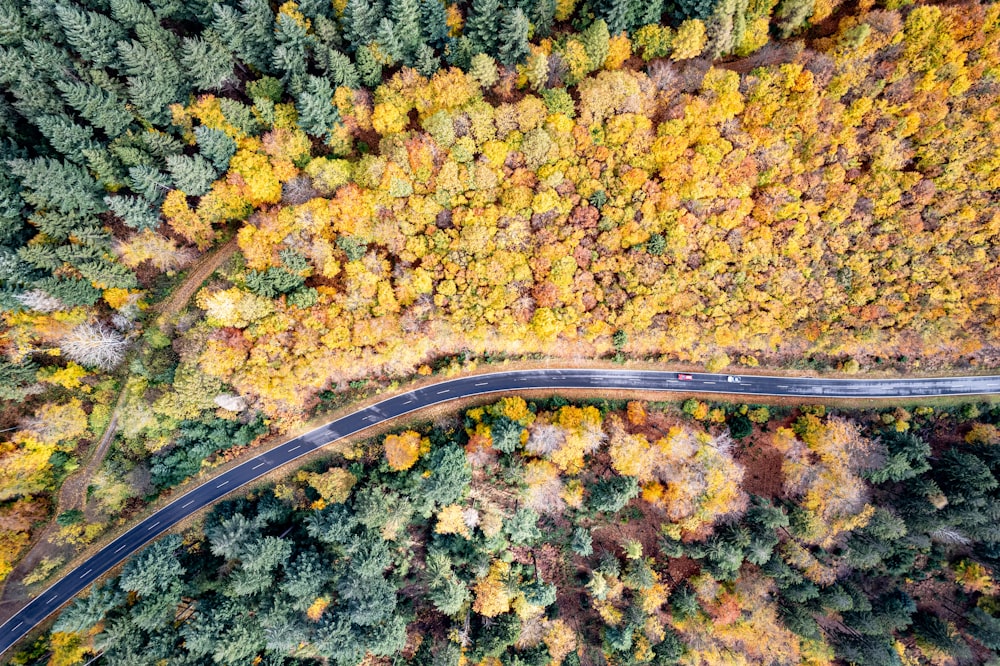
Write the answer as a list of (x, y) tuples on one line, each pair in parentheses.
[(549, 532)]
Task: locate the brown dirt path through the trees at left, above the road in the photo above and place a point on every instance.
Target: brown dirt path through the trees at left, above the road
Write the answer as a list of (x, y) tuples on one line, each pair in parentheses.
[(73, 493)]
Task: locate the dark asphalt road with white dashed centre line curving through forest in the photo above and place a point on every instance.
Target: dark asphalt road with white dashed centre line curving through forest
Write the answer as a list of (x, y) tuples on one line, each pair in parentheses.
[(521, 380)]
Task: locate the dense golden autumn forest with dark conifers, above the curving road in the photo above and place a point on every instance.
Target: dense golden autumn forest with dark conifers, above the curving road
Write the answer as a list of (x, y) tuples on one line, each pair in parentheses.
[(402, 188)]
